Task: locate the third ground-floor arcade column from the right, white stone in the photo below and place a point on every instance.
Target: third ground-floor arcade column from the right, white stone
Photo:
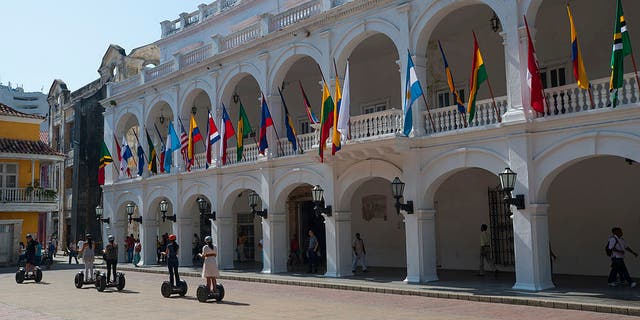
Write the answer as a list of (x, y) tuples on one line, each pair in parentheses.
[(338, 242)]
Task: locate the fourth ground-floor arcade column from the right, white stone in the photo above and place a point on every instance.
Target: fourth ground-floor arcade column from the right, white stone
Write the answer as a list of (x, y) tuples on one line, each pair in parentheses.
[(274, 234)]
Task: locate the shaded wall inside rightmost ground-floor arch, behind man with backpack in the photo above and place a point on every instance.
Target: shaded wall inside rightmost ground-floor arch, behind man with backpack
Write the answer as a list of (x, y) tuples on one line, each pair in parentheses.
[(585, 201)]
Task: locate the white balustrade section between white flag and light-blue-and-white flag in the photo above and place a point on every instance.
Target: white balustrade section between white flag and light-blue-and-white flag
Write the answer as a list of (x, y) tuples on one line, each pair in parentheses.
[(375, 124)]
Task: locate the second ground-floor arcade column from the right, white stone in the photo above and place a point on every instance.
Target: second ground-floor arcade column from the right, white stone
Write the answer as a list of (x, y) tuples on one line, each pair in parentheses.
[(421, 246)]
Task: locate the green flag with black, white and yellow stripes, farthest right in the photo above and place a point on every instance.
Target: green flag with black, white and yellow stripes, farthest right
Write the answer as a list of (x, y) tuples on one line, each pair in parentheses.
[(621, 49)]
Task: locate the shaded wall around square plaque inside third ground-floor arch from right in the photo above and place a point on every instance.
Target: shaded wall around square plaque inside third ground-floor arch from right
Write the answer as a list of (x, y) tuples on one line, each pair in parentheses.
[(384, 240)]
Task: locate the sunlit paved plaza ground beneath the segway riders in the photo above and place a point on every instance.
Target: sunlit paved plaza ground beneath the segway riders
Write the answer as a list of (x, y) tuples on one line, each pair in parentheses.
[(57, 298)]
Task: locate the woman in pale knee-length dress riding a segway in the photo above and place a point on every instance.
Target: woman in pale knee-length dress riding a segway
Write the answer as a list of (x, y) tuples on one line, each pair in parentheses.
[(212, 290)]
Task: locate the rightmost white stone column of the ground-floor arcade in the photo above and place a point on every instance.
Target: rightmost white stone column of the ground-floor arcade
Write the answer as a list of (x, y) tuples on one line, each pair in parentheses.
[(531, 243)]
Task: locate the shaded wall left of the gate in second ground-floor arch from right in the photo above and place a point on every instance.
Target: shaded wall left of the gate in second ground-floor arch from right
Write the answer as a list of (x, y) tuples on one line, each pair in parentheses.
[(462, 206)]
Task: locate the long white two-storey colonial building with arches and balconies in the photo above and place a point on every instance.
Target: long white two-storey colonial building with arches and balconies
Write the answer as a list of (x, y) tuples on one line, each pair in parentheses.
[(577, 165)]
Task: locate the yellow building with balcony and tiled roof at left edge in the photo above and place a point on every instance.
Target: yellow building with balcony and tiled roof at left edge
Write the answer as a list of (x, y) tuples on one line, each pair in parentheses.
[(27, 196)]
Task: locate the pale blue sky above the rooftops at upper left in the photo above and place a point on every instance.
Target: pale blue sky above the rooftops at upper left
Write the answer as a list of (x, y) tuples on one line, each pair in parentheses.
[(46, 40)]
